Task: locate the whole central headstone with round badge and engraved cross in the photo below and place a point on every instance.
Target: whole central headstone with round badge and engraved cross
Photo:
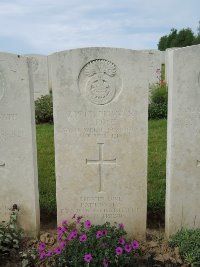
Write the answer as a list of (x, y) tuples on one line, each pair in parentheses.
[(100, 116)]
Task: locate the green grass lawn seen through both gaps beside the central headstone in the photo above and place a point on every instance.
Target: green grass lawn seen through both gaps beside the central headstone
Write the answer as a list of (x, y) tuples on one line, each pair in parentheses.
[(156, 168)]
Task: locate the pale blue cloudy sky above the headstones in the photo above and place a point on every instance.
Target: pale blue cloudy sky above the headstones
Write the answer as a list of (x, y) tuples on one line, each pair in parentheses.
[(48, 26)]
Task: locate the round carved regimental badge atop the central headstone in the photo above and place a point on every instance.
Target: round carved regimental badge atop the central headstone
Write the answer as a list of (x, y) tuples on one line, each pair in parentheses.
[(100, 81)]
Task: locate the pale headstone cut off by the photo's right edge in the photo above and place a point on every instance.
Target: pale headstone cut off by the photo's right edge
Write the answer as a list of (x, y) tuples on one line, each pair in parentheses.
[(183, 148)]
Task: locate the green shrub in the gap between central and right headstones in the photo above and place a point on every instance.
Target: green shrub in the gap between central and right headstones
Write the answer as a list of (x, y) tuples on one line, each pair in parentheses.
[(158, 102)]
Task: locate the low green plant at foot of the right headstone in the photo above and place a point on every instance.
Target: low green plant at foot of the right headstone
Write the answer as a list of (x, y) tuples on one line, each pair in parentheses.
[(188, 242)]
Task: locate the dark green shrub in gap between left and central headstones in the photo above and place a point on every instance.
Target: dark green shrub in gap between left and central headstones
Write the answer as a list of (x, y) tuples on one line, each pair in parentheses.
[(44, 109)]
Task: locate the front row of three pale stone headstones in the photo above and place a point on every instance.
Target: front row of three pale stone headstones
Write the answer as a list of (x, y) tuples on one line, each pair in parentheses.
[(100, 100)]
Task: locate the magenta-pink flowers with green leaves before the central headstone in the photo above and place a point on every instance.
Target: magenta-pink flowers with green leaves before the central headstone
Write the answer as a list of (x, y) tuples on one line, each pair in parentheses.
[(98, 245)]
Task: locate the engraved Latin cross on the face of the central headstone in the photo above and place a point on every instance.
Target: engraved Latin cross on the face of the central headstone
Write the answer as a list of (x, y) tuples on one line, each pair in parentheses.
[(100, 162)]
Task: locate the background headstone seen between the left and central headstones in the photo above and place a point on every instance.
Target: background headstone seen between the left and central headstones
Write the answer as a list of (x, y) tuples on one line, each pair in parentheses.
[(40, 75)]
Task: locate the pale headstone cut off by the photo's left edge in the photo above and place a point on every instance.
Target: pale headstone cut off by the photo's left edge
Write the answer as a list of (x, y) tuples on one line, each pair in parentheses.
[(18, 163)]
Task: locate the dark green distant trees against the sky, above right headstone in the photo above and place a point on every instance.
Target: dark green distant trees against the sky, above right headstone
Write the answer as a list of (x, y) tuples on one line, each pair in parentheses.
[(185, 37)]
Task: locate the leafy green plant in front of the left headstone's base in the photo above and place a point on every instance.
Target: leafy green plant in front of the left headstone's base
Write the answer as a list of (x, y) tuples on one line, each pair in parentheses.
[(10, 234)]
